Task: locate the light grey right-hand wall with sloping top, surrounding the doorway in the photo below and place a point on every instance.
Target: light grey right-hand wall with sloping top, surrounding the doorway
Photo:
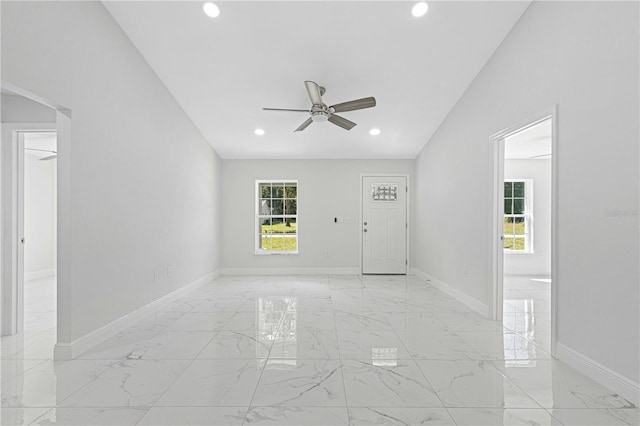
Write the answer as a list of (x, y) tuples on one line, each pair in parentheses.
[(582, 56)]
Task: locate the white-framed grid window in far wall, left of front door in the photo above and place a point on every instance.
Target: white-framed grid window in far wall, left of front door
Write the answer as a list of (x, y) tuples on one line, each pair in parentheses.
[(276, 217)]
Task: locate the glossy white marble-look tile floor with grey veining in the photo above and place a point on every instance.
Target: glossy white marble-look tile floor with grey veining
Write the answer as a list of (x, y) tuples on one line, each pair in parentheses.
[(308, 350)]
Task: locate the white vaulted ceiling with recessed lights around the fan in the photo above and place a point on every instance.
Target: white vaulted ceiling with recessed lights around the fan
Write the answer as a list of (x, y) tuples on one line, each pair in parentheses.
[(258, 54)]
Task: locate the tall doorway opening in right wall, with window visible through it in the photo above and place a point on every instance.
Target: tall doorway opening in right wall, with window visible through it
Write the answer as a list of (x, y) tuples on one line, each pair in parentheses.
[(524, 237)]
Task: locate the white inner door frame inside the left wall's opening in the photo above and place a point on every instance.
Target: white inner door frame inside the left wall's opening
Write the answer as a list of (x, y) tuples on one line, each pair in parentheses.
[(12, 230)]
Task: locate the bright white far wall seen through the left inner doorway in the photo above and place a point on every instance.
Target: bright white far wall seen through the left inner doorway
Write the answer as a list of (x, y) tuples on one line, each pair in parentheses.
[(39, 215)]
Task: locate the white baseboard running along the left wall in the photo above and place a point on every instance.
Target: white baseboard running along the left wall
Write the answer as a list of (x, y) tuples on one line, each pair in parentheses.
[(86, 342)]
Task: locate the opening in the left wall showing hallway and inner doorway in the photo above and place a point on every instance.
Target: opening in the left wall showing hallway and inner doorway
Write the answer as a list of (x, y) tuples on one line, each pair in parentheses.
[(35, 225)]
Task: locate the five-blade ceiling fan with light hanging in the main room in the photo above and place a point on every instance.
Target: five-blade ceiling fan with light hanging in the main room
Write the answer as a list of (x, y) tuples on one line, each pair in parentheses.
[(321, 112)]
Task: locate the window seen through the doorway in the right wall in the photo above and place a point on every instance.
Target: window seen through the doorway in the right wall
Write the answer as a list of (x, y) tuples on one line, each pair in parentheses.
[(518, 219)]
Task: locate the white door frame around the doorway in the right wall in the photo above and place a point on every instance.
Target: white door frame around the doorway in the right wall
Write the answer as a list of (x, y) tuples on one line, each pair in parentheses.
[(496, 281)]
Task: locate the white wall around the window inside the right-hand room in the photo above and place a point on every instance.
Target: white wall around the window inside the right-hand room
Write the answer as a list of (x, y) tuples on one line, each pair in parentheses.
[(537, 263)]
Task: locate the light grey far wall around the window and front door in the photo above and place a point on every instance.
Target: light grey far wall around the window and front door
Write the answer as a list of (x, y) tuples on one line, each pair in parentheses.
[(326, 189)]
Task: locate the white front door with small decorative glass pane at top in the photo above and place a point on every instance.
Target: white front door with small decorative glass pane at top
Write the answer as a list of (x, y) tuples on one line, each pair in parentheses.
[(384, 225)]
